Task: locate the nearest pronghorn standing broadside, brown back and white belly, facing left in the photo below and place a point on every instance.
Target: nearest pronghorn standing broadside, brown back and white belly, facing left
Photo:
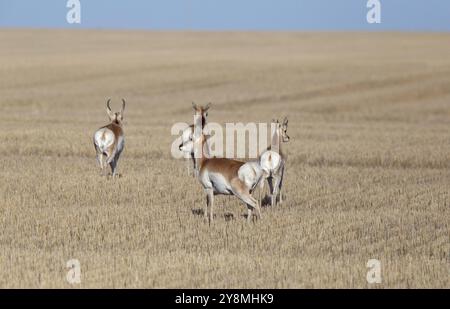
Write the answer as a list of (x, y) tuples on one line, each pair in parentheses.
[(223, 176)]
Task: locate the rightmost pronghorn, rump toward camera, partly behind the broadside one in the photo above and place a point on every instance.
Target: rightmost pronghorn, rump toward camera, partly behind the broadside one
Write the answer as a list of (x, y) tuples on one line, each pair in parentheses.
[(273, 161)]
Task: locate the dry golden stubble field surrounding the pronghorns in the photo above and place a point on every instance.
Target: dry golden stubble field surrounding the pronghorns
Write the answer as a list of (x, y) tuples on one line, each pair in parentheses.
[(368, 172)]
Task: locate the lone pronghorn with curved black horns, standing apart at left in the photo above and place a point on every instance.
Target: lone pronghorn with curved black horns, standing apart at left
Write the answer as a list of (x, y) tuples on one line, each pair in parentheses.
[(109, 140)]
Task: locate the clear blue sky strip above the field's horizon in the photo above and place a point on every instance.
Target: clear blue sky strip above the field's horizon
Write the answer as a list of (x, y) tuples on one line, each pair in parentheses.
[(400, 15)]
